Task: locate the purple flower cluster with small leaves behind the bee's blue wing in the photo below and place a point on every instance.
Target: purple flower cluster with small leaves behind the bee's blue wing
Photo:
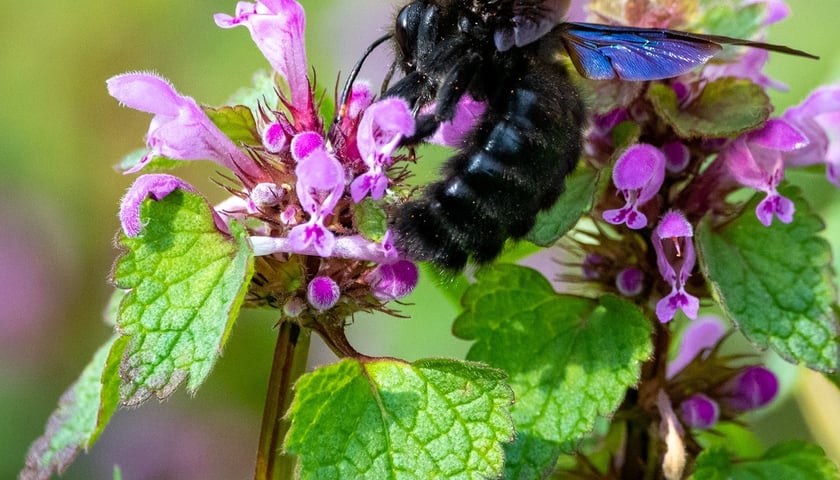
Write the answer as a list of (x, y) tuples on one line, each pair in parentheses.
[(669, 170)]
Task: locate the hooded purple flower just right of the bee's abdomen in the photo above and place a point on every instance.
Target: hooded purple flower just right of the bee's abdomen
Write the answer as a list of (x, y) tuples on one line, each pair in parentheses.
[(637, 175)]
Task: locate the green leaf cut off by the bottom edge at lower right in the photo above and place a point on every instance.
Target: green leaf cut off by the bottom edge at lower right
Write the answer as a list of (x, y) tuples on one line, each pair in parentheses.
[(794, 460)]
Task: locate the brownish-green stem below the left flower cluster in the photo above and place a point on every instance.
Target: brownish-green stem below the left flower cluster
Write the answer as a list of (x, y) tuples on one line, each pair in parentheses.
[(289, 363)]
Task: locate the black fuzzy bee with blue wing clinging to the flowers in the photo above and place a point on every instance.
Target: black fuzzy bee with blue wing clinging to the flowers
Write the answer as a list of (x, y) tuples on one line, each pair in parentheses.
[(513, 164)]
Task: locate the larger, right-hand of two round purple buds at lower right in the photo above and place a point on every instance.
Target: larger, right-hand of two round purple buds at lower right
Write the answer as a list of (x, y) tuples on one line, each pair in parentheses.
[(753, 388)]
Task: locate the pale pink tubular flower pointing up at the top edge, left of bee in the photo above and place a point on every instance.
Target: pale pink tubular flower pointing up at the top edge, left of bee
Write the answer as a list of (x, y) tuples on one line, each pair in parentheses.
[(277, 27)]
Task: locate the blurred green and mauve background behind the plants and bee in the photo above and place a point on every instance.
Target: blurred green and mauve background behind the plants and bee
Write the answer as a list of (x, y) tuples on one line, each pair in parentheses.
[(61, 135)]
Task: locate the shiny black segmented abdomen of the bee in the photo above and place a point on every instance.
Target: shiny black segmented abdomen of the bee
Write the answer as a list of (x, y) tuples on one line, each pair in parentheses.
[(511, 167)]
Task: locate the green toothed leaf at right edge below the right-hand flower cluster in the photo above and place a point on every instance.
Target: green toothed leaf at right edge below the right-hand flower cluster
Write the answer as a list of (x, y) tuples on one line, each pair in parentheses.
[(775, 282)]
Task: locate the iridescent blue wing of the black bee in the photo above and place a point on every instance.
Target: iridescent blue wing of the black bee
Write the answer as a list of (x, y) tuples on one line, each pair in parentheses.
[(602, 52)]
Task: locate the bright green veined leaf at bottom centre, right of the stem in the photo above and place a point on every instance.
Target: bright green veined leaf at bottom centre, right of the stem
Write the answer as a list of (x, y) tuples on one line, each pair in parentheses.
[(434, 418)]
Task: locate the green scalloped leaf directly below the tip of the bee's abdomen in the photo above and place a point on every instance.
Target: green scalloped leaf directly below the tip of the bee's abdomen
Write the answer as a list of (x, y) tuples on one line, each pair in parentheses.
[(569, 359)]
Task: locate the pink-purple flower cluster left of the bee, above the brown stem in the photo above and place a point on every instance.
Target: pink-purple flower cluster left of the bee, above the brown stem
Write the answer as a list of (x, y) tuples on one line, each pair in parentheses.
[(300, 184)]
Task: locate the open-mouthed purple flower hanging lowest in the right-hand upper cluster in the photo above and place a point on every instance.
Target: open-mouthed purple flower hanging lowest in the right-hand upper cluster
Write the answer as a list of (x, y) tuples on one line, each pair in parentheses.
[(675, 259)]
